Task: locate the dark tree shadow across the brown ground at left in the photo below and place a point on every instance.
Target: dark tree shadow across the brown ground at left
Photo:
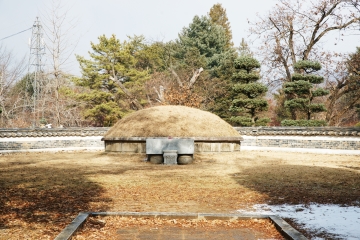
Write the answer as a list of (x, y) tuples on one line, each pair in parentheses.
[(50, 194)]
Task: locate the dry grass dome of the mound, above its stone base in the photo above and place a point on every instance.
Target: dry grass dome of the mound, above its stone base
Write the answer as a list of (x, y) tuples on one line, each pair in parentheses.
[(171, 121)]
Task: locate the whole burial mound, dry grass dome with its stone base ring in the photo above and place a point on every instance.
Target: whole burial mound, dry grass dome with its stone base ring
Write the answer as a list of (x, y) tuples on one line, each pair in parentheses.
[(210, 133)]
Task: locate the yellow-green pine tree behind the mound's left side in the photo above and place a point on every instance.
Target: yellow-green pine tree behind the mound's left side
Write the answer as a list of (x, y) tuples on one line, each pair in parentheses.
[(112, 80)]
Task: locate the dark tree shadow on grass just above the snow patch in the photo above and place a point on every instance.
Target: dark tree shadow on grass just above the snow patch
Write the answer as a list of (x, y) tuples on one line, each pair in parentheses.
[(293, 184)]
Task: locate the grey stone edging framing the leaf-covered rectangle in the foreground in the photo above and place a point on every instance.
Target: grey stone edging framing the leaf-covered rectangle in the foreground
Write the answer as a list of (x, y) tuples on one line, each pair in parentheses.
[(281, 225)]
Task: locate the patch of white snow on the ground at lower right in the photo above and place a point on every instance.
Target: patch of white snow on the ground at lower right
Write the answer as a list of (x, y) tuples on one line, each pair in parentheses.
[(344, 222)]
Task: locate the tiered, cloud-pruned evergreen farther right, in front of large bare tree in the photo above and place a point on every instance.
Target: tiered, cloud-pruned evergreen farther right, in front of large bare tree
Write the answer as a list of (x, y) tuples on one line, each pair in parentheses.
[(301, 93)]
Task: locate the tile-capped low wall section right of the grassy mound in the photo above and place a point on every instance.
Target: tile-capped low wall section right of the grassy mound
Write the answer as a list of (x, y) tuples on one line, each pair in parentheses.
[(329, 140)]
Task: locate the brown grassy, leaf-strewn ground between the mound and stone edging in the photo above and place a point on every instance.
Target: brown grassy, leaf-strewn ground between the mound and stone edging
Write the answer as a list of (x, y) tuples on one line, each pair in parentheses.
[(43, 192)]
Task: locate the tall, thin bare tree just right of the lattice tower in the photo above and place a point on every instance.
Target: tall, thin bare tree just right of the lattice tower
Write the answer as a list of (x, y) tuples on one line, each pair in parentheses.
[(60, 42)]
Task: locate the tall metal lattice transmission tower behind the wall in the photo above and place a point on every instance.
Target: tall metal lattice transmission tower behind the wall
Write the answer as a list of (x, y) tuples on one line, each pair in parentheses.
[(35, 82)]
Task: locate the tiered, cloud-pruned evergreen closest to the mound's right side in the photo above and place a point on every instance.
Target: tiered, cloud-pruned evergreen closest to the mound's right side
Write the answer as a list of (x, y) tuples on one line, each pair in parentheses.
[(248, 93)]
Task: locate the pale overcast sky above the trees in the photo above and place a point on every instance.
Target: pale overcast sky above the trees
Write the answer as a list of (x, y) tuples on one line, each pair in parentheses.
[(155, 19)]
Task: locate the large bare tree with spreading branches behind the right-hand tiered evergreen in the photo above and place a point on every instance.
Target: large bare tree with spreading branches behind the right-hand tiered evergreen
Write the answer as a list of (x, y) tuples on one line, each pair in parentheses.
[(294, 30)]
